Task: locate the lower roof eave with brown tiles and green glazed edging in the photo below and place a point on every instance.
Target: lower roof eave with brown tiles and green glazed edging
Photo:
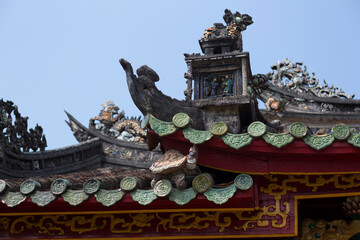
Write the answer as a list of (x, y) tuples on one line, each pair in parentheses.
[(110, 185)]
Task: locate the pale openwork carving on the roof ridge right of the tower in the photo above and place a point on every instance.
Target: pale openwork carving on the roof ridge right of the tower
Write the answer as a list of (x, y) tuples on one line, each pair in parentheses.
[(294, 77)]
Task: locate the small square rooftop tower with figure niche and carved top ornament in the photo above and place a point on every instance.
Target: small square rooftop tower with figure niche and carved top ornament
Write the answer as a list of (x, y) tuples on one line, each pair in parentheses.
[(221, 76)]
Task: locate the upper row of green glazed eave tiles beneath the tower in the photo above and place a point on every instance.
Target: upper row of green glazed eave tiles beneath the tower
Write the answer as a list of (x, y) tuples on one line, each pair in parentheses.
[(257, 129)]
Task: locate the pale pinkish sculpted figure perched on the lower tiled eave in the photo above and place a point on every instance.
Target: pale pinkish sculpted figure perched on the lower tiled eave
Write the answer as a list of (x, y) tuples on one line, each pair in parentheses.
[(175, 167)]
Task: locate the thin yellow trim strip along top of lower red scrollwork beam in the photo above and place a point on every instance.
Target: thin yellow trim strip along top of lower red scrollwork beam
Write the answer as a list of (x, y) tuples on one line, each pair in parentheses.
[(127, 211)]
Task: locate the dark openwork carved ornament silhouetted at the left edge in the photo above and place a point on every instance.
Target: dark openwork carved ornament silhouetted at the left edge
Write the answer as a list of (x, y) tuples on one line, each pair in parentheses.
[(15, 136)]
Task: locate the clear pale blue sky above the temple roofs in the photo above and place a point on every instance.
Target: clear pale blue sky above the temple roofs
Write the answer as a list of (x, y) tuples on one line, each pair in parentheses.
[(63, 55)]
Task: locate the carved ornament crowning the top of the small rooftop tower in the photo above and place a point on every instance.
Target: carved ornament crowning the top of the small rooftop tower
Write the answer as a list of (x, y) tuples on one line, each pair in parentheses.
[(222, 39)]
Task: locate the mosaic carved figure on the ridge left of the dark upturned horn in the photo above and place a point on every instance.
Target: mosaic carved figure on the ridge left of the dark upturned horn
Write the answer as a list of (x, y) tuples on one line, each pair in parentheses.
[(117, 125)]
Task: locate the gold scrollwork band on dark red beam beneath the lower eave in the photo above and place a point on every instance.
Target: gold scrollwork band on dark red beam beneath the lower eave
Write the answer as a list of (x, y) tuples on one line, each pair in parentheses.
[(240, 220)]
